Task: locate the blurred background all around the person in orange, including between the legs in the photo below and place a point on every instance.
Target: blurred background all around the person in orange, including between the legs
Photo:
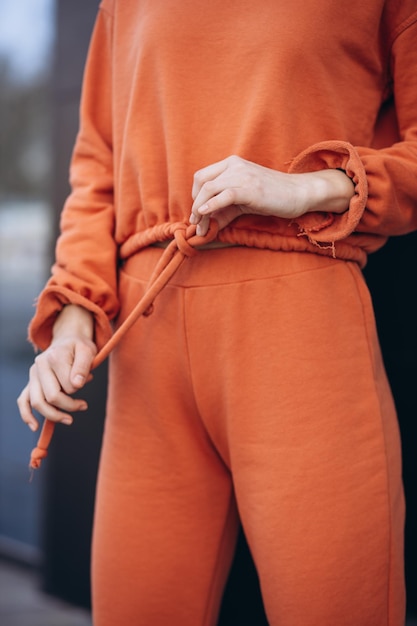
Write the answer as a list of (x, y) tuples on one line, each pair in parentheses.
[(45, 523)]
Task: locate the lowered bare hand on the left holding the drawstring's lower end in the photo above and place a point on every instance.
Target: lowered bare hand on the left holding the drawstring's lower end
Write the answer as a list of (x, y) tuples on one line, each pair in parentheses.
[(61, 370)]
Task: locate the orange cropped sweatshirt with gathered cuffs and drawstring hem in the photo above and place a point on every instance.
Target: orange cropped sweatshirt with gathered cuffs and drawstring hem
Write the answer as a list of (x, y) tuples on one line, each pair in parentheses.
[(171, 87)]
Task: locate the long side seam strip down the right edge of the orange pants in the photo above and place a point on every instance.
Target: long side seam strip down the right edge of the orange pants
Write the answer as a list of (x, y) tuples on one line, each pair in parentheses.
[(389, 494)]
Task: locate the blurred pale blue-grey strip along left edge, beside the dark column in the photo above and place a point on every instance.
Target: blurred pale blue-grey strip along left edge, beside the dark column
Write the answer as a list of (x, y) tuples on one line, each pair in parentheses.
[(26, 43)]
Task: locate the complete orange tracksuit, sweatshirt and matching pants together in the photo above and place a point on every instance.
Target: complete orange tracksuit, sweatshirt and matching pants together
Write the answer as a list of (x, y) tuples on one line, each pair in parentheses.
[(255, 390)]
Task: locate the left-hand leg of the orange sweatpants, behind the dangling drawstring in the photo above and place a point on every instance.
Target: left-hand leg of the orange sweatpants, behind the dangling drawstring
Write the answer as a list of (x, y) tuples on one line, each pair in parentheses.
[(166, 521)]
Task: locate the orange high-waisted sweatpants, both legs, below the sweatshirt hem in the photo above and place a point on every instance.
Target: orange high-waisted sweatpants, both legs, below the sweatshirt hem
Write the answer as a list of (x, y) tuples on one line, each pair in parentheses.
[(255, 392)]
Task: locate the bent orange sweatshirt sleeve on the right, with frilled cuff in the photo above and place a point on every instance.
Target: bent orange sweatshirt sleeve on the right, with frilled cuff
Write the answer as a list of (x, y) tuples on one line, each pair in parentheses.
[(385, 200)]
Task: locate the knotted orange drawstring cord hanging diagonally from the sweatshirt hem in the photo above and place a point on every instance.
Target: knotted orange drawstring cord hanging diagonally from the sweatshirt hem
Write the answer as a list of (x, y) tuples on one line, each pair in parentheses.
[(182, 246)]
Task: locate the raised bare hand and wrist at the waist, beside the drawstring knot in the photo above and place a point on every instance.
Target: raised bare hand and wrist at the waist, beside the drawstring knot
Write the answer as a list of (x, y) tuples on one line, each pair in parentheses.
[(234, 186)]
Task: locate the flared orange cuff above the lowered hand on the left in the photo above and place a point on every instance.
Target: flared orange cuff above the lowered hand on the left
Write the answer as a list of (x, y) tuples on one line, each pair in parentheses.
[(51, 301)]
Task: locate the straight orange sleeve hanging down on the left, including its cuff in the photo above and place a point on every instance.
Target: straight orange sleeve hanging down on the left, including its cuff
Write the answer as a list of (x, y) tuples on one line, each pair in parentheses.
[(84, 272)]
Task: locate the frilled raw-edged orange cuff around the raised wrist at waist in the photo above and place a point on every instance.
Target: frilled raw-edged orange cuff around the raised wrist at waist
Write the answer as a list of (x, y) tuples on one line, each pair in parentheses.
[(319, 227)]
